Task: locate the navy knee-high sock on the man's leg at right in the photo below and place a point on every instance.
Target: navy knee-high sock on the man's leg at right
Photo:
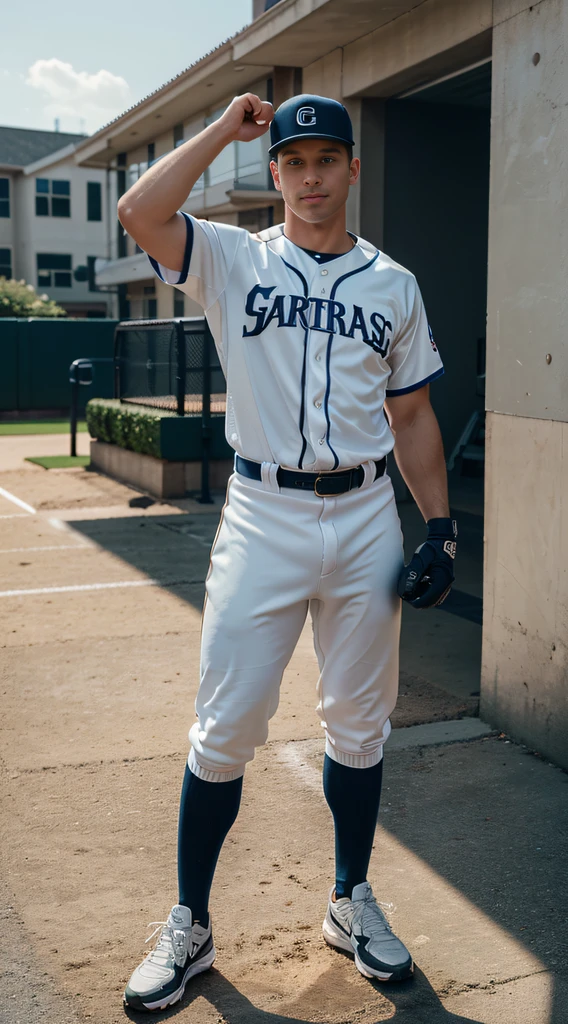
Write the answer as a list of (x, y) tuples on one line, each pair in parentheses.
[(354, 796)]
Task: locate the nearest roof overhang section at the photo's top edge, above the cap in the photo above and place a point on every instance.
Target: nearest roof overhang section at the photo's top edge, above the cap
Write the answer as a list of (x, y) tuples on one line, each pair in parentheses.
[(298, 32)]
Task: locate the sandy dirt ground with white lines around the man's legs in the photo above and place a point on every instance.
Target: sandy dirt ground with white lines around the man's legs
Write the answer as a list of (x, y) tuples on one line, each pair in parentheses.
[(101, 612)]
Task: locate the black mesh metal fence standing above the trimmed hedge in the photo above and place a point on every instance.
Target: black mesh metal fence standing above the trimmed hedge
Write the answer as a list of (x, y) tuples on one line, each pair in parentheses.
[(170, 365)]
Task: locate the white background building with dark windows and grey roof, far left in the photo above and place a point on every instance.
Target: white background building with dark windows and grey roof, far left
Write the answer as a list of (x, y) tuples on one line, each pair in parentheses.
[(54, 219)]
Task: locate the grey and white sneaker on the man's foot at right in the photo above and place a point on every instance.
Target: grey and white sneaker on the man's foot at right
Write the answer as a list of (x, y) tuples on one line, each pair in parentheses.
[(360, 927)]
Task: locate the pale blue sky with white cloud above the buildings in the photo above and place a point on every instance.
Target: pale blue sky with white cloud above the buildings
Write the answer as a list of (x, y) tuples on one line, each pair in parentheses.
[(86, 64)]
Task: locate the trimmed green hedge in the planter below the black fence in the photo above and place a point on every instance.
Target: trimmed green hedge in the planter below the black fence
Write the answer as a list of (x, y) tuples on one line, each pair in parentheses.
[(133, 428)]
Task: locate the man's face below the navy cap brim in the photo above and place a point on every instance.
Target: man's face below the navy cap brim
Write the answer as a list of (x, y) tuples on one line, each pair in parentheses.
[(315, 177)]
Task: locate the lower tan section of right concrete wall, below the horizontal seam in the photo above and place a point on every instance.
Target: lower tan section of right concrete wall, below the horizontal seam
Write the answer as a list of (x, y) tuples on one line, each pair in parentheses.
[(526, 619)]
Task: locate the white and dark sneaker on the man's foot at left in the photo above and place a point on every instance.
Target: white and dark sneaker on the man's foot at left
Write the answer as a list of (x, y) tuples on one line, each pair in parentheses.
[(183, 951)]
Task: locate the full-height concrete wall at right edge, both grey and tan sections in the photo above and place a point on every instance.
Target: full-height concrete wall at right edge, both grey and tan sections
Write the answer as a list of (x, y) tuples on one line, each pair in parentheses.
[(526, 631)]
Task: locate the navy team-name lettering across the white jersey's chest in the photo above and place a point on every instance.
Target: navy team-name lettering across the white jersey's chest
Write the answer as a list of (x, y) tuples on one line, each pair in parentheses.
[(326, 316)]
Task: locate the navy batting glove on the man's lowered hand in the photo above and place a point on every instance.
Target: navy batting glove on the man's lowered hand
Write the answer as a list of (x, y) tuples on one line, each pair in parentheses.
[(427, 580)]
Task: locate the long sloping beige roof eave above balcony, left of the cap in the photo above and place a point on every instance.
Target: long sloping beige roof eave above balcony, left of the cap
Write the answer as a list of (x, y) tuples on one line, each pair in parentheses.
[(200, 89)]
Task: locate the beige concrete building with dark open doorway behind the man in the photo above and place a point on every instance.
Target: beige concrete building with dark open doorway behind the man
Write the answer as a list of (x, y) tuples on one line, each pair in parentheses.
[(460, 111)]
